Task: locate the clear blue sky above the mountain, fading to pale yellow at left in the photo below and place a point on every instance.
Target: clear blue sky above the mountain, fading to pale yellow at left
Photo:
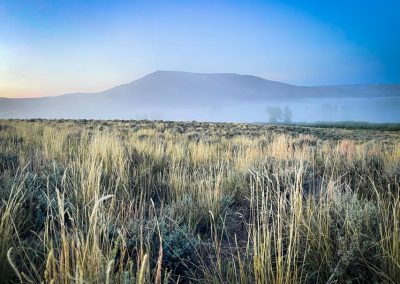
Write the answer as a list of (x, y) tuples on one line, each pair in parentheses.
[(54, 47)]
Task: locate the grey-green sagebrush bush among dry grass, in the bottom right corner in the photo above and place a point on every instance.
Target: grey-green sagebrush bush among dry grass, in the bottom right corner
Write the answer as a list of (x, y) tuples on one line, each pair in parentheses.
[(355, 229)]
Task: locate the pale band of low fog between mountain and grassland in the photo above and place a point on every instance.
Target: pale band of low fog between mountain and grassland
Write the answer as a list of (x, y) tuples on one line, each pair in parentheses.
[(304, 110)]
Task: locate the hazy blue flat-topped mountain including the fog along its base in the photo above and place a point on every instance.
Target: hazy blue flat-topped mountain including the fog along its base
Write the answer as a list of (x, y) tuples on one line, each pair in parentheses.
[(220, 96)]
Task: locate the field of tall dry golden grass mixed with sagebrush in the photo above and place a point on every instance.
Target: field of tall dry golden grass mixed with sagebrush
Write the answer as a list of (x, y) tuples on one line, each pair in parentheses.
[(169, 202)]
